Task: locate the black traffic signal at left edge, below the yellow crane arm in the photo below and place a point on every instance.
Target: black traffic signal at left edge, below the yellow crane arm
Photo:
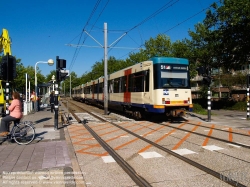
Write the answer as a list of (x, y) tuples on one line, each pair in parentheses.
[(8, 68)]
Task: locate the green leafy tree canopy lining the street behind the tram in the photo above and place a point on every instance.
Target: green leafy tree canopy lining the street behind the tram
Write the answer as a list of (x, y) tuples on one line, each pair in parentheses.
[(221, 40)]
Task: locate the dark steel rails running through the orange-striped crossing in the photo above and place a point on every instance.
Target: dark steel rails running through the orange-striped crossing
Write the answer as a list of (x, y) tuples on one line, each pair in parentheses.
[(139, 180)]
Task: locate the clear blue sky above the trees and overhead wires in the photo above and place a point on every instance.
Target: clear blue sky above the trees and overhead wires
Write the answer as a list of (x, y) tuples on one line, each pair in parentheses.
[(40, 29)]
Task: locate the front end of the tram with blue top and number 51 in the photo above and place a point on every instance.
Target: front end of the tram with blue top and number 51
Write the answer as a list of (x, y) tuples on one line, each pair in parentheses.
[(171, 85)]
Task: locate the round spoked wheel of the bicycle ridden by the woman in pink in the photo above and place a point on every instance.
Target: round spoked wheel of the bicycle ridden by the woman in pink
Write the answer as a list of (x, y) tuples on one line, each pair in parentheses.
[(24, 134)]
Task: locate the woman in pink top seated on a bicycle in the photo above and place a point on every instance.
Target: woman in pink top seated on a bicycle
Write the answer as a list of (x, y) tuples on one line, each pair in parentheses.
[(15, 113)]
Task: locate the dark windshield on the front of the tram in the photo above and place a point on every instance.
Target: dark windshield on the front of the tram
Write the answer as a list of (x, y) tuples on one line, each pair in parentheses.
[(171, 76)]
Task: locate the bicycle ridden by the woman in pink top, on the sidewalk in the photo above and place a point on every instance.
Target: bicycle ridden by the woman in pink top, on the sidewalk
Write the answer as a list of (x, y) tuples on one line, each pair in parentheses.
[(22, 132)]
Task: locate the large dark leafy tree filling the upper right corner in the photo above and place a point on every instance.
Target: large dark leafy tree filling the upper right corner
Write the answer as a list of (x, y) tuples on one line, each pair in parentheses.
[(223, 39)]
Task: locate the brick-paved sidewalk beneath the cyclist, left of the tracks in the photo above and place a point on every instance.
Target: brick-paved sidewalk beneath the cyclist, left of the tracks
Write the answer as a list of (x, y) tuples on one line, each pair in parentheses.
[(46, 161)]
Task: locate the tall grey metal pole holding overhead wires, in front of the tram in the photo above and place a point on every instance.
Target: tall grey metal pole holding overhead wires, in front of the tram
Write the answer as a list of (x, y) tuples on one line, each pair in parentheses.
[(105, 71)]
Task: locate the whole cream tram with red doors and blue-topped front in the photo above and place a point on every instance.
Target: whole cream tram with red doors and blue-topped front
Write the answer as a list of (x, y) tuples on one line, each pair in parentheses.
[(160, 85)]
